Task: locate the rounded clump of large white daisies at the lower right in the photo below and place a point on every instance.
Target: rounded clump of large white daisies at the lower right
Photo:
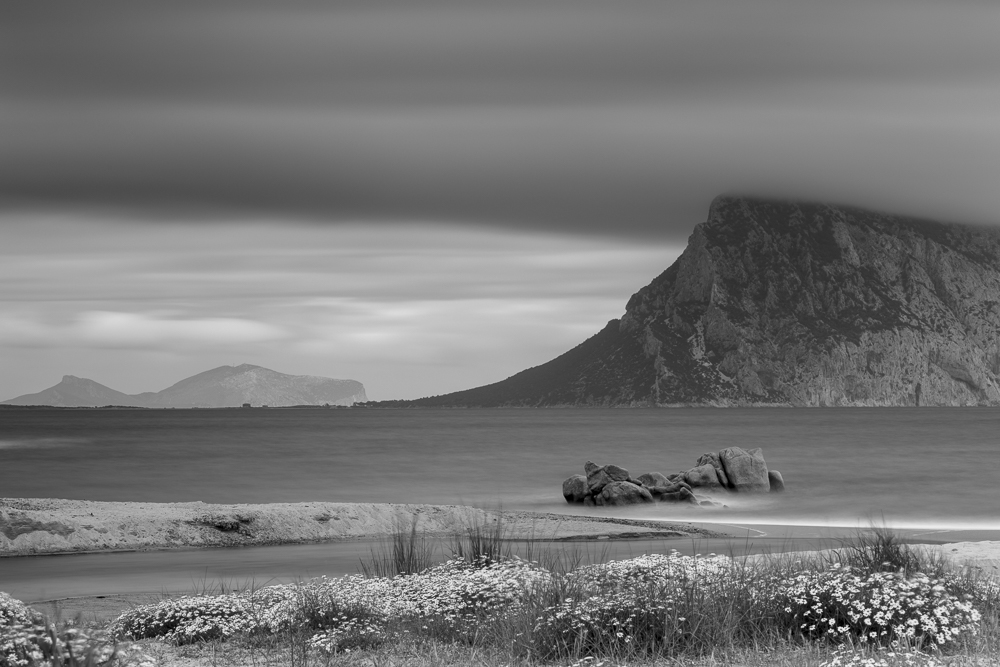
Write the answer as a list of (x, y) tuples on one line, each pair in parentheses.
[(879, 608)]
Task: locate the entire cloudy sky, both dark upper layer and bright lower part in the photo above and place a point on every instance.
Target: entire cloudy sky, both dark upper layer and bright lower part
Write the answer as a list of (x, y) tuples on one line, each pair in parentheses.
[(431, 196)]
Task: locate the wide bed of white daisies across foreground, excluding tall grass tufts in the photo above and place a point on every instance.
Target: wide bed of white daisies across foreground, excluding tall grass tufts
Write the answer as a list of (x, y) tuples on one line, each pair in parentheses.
[(648, 608)]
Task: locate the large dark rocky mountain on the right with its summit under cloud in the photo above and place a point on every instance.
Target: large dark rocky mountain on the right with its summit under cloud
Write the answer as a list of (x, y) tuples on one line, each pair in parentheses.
[(790, 303)]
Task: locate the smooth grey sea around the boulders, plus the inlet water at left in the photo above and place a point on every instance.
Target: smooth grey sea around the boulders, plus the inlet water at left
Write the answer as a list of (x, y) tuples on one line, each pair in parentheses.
[(932, 469)]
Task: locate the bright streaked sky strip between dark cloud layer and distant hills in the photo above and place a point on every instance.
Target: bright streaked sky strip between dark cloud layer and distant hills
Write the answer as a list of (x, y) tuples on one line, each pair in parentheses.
[(408, 310)]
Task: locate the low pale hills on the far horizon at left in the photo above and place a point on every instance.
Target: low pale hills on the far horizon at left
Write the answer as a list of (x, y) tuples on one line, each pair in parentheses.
[(226, 386)]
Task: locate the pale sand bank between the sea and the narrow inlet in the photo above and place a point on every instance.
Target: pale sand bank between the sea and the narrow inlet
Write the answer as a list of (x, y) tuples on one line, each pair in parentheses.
[(33, 526)]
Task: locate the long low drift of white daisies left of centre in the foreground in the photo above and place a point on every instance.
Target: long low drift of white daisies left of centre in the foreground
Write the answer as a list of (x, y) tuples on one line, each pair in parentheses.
[(347, 610)]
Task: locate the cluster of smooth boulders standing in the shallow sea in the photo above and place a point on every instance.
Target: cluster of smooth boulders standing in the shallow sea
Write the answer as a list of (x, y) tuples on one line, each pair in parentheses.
[(731, 470)]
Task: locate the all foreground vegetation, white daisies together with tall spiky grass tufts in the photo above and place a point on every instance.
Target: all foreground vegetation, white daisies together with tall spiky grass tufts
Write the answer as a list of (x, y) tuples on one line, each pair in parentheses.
[(876, 603)]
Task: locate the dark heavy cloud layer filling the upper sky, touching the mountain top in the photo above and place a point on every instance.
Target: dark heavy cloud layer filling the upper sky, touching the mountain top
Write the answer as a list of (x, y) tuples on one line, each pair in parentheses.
[(576, 117)]
